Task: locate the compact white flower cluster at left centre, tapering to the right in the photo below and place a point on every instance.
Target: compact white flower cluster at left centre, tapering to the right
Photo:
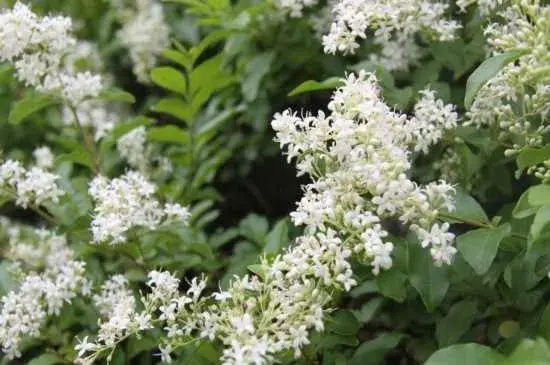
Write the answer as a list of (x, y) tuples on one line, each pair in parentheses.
[(128, 202)]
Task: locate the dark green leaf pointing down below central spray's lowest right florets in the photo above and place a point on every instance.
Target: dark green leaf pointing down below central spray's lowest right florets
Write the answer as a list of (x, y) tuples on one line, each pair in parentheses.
[(429, 280)]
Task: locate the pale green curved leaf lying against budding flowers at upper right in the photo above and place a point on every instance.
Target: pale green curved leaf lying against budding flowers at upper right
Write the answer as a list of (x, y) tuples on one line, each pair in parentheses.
[(485, 72)]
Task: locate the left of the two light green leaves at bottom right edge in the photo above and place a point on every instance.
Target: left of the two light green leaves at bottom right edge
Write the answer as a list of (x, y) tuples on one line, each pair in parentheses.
[(467, 354)]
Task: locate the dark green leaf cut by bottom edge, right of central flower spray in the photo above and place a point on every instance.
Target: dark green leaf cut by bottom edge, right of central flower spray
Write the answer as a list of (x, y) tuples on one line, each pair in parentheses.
[(373, 352)]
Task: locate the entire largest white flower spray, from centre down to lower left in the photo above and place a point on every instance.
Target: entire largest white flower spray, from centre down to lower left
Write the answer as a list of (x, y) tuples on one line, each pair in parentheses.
[(358, 158)]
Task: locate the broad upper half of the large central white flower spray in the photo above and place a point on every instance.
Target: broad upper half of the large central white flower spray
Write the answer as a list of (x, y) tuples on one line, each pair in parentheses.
[(363, 150)]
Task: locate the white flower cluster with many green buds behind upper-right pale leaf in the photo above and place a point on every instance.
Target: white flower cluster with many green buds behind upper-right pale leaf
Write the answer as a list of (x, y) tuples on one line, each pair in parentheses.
[(517, 100)]
